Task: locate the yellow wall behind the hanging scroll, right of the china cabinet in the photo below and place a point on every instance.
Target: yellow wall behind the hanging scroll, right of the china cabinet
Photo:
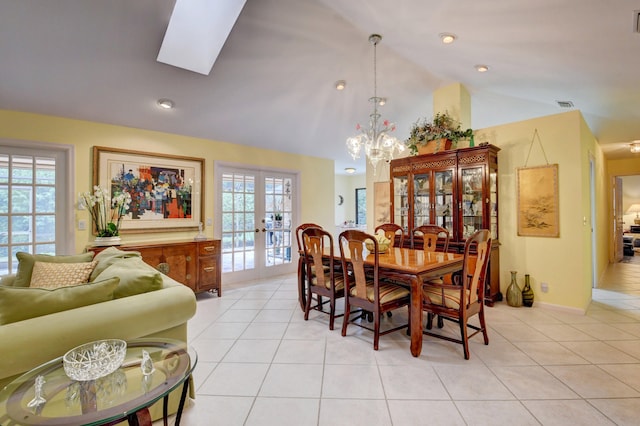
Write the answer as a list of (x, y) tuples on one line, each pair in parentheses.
[(565, 262)]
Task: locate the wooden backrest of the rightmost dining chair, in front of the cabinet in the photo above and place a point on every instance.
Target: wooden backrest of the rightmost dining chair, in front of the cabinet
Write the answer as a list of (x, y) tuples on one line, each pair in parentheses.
[(477, 251)]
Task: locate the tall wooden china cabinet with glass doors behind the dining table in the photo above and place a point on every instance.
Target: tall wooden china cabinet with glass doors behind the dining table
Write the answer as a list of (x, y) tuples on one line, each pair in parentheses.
[(455, 189)]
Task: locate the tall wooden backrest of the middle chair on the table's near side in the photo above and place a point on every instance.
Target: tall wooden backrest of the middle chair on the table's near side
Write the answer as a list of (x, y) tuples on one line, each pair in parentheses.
[(352, 245)]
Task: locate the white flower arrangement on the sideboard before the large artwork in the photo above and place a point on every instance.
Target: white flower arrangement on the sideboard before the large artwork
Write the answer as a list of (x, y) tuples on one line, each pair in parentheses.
[(106, 212)]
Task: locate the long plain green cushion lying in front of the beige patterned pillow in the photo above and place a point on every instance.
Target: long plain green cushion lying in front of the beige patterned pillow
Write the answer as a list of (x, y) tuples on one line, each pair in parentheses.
[(19, 303)]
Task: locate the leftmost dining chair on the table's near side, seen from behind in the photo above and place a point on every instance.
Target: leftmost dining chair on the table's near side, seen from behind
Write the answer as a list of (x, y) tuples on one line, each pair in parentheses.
[(322, 279)]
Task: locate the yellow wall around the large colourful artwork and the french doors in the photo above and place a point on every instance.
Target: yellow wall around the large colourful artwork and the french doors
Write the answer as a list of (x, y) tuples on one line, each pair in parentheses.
[(316, 174)]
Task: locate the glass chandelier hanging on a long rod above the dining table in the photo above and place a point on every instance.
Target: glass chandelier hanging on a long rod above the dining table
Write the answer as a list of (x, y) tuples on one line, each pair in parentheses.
[(375, 140)]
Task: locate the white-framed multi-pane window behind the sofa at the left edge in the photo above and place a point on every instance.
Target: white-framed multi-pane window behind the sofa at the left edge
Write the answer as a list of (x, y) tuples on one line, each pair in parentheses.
[(35, 216)]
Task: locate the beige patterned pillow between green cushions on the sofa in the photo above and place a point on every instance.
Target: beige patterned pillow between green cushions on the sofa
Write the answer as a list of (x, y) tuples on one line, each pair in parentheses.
[(55, 275)]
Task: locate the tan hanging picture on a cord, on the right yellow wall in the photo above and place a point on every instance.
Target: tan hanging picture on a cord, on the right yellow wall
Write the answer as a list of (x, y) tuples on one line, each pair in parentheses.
[(538, 204)]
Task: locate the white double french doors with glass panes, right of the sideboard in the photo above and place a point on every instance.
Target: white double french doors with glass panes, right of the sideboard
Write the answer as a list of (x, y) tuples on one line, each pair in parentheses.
[(256, 223)]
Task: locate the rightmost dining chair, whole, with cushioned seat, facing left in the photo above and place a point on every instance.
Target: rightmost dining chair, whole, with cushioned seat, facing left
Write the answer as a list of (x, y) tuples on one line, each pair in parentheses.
[(464, 298)]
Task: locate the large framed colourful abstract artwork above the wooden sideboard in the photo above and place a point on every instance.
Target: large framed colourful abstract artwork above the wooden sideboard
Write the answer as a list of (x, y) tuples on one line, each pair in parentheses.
[(166, 190)]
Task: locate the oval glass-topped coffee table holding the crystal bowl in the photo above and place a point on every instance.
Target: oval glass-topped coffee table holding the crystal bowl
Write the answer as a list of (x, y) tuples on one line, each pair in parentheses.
[(125, 394)]
